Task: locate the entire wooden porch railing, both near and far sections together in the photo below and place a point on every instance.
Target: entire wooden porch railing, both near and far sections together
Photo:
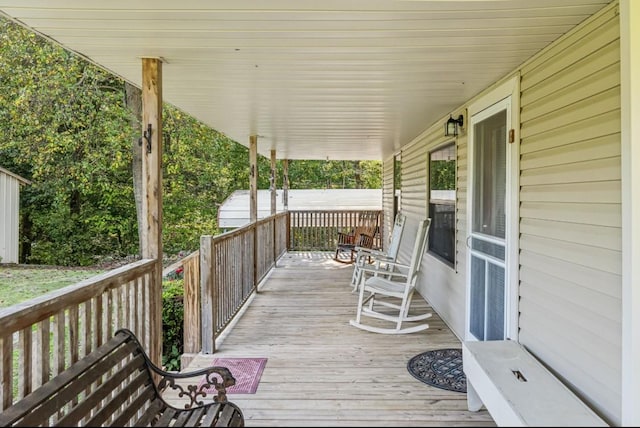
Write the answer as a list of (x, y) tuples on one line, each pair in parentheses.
[(42, 337)]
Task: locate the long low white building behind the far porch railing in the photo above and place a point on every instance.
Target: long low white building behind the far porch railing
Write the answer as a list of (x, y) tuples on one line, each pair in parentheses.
[(234, 211)]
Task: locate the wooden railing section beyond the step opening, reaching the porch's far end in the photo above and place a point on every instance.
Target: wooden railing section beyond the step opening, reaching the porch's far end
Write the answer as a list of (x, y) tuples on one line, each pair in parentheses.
[(222, 275)]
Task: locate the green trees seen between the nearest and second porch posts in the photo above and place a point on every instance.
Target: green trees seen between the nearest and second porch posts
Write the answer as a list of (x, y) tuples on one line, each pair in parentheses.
[(201, 168)]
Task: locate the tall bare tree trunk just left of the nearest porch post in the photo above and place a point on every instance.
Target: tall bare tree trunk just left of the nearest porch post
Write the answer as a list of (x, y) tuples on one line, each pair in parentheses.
[(133, 100)]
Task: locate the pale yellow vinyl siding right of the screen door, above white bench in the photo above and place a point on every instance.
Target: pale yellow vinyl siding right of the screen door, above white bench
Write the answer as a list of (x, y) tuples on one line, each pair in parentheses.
[(570, 211)]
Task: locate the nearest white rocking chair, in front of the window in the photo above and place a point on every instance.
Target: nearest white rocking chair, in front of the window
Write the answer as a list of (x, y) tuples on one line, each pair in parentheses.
[(393, 282)]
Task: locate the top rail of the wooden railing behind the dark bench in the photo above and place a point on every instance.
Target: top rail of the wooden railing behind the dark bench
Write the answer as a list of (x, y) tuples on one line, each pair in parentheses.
[(31, 311)]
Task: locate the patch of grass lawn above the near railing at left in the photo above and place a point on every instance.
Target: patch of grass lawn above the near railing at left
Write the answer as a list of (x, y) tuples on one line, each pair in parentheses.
[(22, 282)]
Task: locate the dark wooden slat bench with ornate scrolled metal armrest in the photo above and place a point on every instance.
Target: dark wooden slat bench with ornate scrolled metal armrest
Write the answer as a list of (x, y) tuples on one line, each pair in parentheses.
[(117, 385)]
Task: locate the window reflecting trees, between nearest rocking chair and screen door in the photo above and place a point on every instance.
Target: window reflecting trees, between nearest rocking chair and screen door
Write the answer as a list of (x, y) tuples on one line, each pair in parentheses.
[(442, 203)]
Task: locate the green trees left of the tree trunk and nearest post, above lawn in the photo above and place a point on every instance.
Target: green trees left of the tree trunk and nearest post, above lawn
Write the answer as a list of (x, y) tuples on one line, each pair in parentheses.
[(63, 125)]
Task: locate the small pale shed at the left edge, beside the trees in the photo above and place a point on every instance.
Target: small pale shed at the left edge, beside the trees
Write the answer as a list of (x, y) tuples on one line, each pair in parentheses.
[(9, 214)]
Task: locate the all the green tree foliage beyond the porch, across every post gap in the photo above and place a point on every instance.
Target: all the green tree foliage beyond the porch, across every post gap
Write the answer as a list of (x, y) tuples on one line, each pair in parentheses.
[(64, 126)]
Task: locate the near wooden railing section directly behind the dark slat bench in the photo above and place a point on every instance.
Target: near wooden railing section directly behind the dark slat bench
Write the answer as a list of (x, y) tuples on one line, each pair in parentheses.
[(42, 337)]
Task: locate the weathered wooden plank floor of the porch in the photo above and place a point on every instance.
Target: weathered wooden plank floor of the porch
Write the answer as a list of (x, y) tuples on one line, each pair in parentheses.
[(323, 372)]
